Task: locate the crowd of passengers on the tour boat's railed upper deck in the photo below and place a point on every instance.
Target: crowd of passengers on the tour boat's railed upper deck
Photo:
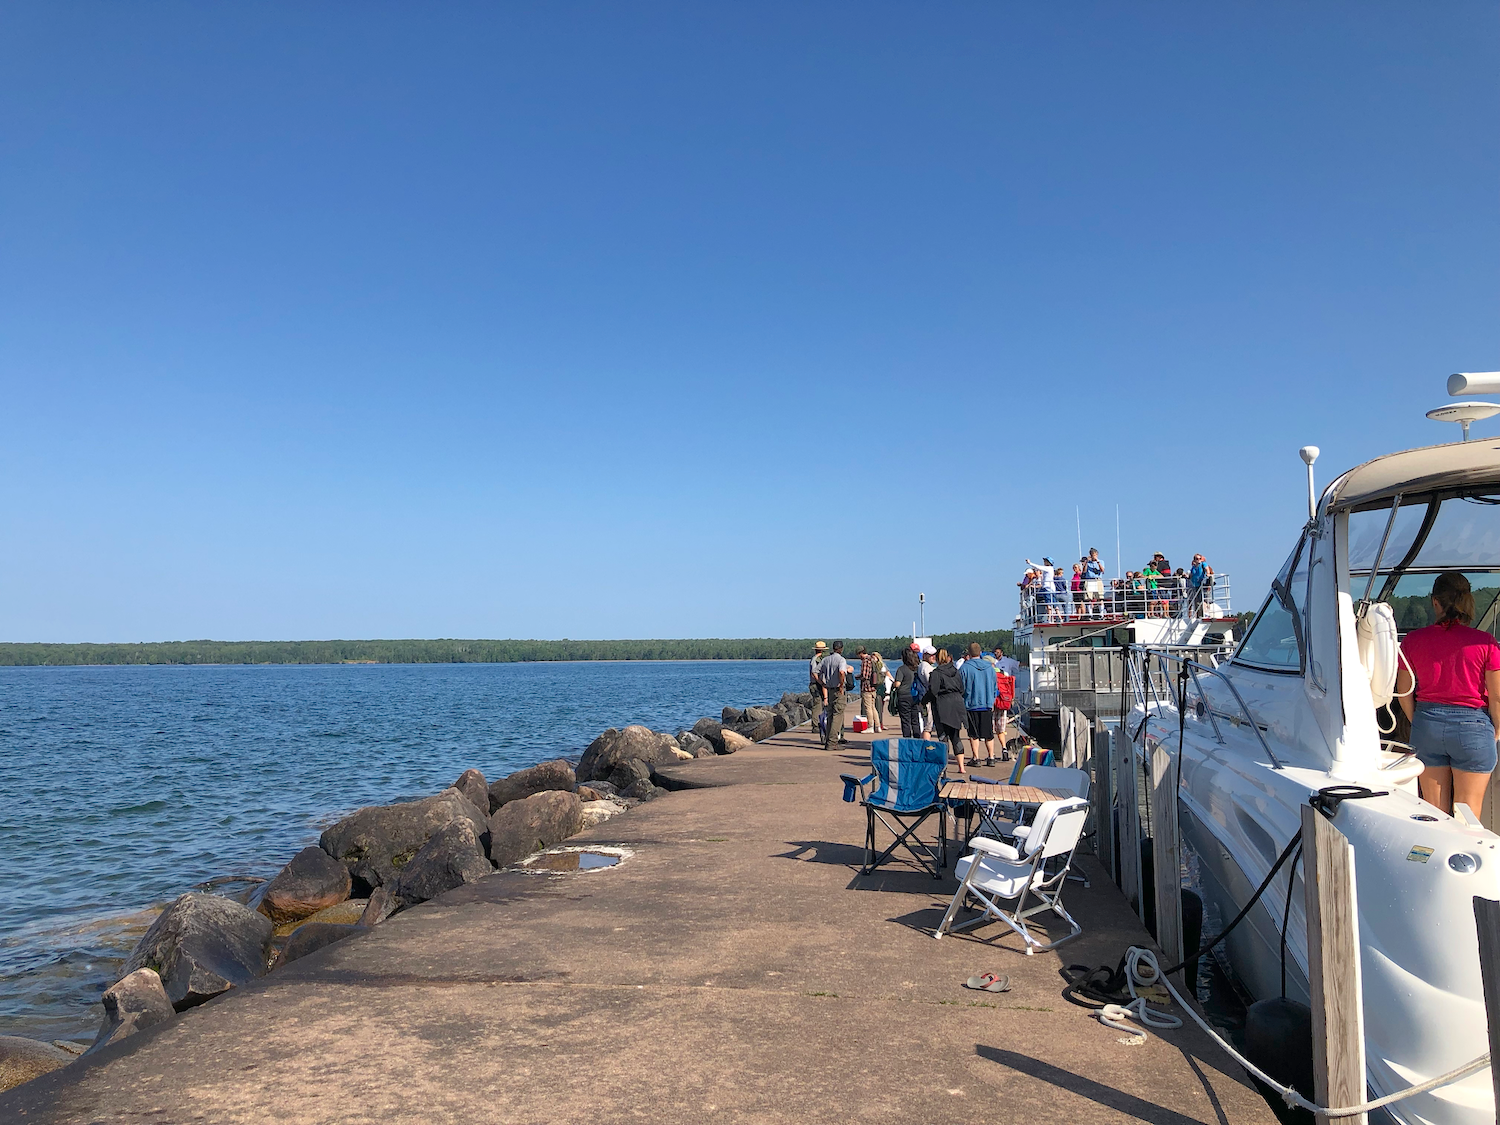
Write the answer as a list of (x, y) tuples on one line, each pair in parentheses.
[(1154, 590)]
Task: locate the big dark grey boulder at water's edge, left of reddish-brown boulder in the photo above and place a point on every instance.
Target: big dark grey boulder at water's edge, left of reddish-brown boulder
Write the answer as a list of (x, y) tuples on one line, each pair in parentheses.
[(203, 946)]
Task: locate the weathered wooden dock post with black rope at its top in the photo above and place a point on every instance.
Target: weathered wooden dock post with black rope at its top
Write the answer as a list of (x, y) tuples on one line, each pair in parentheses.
[(1333, 910)]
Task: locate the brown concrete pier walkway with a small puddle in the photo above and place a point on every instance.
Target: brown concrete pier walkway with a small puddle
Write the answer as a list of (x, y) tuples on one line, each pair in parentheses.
[(736, 968)]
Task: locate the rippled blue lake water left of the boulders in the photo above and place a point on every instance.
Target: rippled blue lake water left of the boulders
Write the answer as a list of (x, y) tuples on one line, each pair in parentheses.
[(122, 788)]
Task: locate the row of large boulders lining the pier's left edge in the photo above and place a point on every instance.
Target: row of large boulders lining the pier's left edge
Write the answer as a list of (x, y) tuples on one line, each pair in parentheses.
[(385, 859)]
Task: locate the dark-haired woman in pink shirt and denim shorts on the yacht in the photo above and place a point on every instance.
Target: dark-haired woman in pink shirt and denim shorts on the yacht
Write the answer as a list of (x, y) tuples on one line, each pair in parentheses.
[(1456, 709)]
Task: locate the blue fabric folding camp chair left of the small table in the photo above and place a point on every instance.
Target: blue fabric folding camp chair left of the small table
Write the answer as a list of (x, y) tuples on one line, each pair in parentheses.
[(908, 775)]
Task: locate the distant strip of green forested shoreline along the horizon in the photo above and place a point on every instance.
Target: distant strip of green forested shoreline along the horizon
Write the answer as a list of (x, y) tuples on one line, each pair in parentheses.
[(452, 652)]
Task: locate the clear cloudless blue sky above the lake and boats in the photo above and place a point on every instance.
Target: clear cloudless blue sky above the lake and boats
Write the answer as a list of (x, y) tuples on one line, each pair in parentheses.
[(709, 320)]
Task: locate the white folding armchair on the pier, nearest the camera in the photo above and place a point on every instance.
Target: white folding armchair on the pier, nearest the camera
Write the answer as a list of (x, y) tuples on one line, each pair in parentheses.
[(997, 874)]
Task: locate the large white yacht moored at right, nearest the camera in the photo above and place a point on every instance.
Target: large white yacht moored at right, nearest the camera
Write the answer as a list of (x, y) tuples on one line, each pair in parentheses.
[(1295, 710)]
